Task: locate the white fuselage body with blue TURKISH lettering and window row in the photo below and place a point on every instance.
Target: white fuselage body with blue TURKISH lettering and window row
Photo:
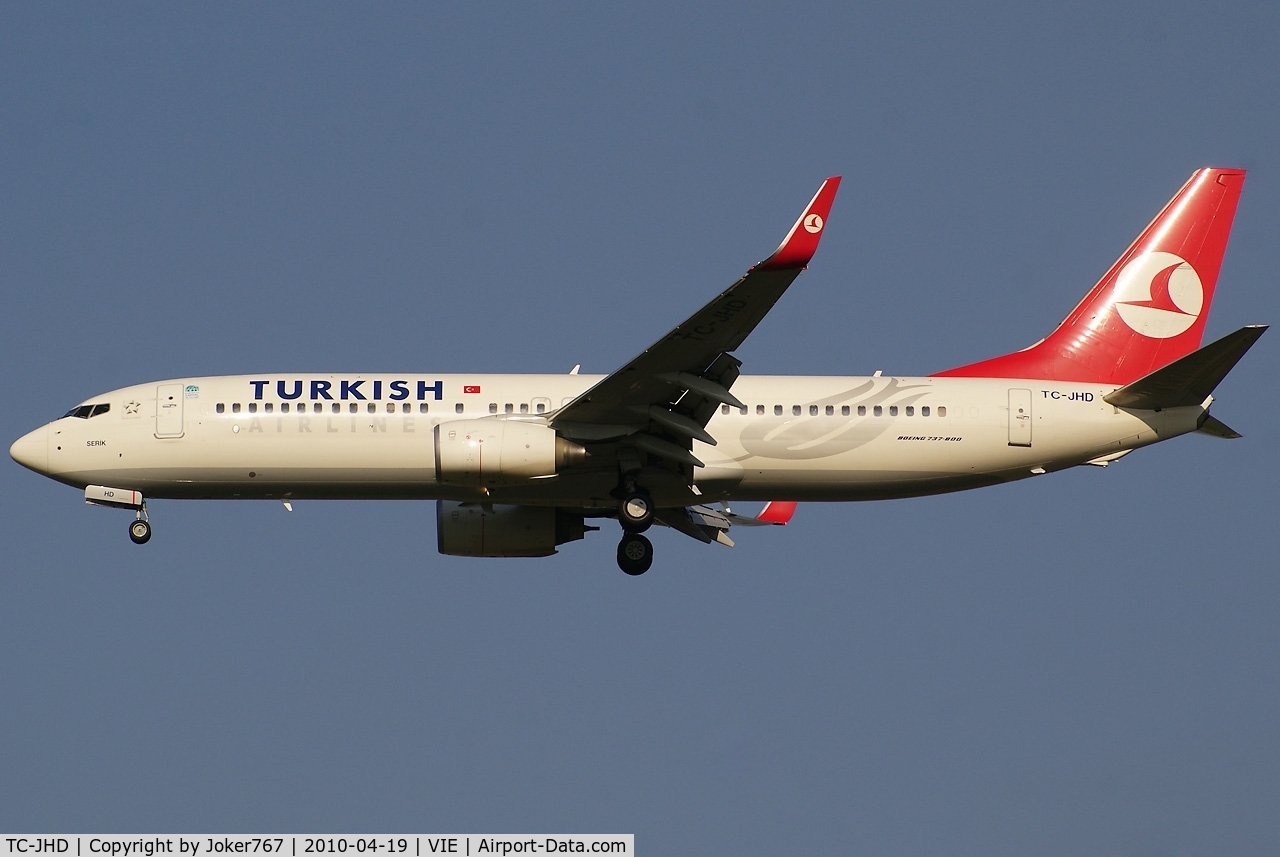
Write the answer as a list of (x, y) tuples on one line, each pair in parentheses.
[(802, 438)]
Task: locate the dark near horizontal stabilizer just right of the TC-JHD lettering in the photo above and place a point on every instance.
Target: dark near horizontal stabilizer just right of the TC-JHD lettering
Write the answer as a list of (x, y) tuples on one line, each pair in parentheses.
[(1188, 381)]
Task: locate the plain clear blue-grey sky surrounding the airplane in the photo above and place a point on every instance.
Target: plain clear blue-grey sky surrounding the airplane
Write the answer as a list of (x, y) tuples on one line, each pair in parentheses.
[(1080, 664)]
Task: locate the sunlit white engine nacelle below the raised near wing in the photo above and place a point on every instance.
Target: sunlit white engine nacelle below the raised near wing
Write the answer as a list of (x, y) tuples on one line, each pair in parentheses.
[(500, 452)]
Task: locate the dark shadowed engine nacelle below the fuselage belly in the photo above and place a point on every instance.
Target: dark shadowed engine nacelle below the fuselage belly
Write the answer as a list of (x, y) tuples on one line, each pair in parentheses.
[(476, 530)]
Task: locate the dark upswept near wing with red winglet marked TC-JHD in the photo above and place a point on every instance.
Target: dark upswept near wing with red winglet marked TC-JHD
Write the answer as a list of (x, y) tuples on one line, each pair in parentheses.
[(666, 396)]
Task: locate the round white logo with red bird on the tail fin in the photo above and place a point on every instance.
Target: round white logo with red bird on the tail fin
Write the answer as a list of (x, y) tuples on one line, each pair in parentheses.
[(1159, 295)]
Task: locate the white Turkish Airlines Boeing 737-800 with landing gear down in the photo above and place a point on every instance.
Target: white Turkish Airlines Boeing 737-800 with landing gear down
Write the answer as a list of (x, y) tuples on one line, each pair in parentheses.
[(519, 464)]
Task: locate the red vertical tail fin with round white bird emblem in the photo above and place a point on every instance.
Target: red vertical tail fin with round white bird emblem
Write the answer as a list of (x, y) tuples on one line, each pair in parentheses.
[(1150, 309)]
